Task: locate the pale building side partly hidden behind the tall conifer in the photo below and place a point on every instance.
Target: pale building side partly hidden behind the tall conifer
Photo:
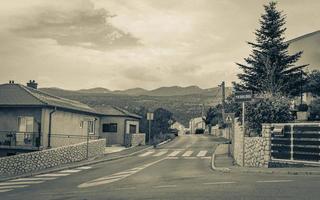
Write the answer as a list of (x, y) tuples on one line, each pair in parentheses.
[(310, 45)]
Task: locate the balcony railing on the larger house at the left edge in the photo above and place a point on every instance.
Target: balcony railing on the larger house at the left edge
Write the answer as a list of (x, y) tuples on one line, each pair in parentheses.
[(15, 139)]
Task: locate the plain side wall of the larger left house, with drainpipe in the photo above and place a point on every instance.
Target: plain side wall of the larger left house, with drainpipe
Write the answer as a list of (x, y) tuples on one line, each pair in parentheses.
[(65, 127)]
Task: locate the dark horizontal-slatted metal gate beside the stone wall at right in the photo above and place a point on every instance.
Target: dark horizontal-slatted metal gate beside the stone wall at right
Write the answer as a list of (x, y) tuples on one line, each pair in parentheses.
[(296, 142)]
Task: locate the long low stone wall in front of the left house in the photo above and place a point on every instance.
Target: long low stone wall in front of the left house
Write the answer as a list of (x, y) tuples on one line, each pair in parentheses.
[(35, 161)]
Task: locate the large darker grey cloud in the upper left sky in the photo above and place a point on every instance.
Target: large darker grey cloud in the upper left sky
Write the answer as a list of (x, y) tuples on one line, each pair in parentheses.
[(78, 24)]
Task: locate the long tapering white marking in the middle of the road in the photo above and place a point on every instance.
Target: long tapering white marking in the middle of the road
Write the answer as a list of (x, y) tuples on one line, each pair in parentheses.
[(116, 177)]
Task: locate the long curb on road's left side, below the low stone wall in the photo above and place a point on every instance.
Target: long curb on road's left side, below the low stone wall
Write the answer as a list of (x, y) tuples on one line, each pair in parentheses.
[(76, 165)]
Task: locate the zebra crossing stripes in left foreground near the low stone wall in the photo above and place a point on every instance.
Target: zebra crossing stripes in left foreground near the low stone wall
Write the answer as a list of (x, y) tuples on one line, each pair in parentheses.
[(10, 185)]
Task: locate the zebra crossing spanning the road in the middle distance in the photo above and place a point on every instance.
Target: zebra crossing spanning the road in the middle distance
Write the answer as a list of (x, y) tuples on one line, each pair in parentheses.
[(178, 154)]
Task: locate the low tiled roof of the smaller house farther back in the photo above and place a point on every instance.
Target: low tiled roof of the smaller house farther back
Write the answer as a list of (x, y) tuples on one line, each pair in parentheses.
[(115, 111)]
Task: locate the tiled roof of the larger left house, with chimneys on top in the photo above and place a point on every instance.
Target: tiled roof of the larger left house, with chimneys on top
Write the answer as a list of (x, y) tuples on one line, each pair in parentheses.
[(20, 95)]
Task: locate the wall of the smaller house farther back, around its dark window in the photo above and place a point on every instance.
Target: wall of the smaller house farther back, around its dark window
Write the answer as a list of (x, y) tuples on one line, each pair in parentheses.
[(123, 124)]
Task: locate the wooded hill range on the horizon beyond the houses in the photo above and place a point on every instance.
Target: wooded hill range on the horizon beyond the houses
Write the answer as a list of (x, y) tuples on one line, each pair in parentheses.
[(184, 102)]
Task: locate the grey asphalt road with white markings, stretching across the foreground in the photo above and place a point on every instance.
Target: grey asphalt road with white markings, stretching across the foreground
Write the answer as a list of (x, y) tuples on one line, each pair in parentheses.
[(177, 170)]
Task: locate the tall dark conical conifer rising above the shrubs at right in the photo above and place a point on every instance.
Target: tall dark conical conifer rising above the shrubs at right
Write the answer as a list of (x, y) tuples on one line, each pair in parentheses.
[(270, 69)]
